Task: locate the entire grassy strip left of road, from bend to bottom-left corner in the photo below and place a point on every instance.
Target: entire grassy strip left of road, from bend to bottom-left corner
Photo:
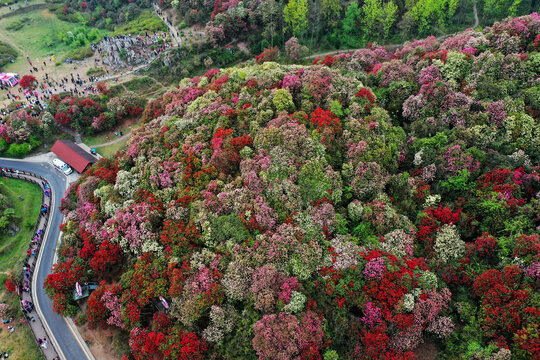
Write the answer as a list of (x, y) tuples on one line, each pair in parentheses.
[(19, 345)]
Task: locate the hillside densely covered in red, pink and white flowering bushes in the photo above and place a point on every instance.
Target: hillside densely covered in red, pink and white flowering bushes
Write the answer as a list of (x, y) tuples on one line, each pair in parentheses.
[(351, 209)]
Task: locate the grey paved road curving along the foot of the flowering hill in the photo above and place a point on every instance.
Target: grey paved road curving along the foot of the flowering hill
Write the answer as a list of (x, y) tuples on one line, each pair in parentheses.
[(69, 345)]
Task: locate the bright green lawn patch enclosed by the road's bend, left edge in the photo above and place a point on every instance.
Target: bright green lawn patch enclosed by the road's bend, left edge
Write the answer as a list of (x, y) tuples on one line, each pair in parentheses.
[(13, 248)]
